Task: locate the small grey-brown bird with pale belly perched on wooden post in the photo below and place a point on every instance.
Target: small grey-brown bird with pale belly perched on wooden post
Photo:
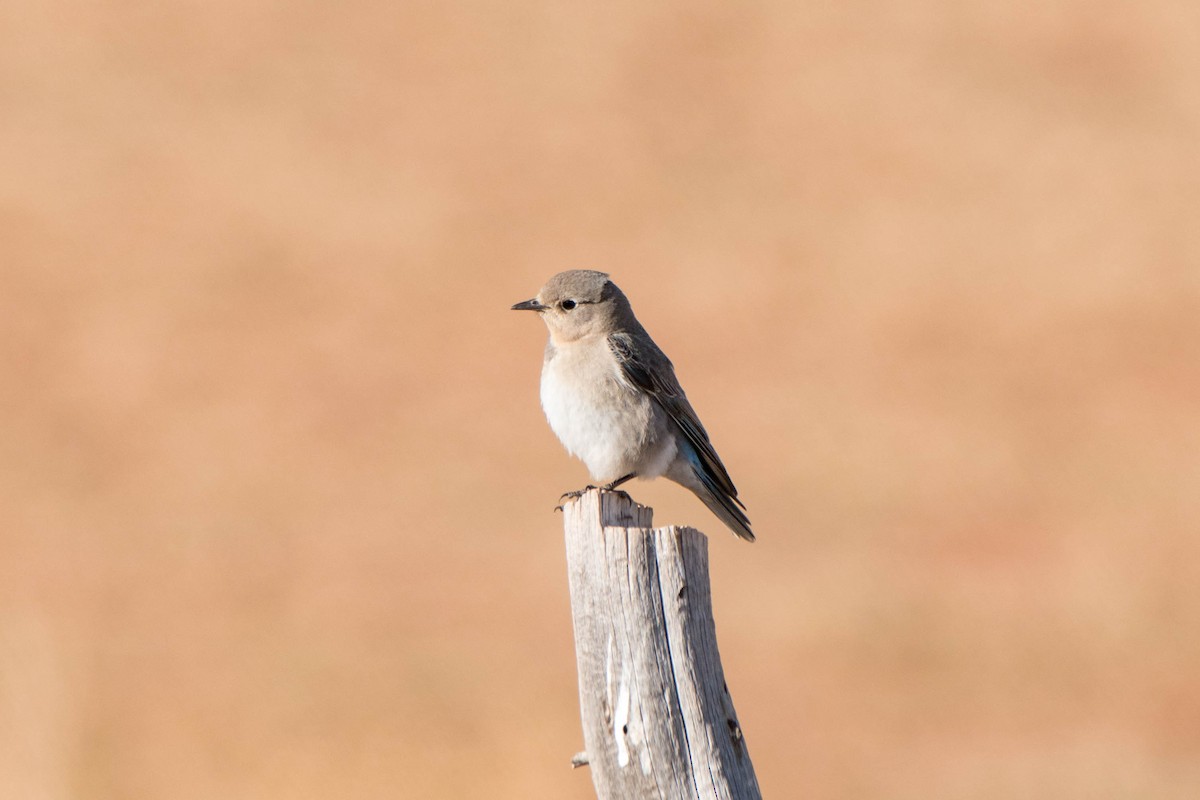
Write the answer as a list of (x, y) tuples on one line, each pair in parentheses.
[(613, 399)]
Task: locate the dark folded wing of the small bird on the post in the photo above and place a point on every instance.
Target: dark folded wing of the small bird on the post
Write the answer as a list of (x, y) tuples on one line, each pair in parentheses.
[(647, 368)]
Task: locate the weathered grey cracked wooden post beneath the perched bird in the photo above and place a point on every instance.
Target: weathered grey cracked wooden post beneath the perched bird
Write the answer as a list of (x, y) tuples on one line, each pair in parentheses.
[(658, 718)]
